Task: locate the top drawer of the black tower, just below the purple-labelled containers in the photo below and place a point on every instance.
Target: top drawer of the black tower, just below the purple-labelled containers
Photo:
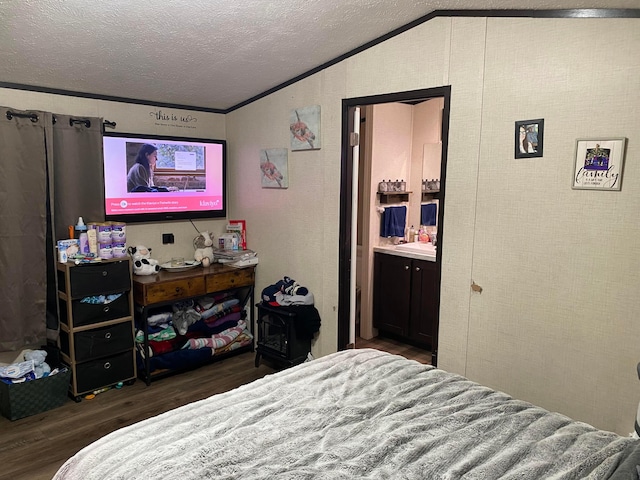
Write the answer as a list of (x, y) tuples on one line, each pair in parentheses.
[(97, 279)]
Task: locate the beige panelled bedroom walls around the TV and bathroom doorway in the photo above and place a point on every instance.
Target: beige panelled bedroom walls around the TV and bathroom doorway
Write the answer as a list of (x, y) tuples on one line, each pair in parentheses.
[(556, 321)]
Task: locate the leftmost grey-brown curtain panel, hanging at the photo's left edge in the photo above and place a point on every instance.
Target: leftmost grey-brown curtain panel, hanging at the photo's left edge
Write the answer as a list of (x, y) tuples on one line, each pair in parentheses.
[(23, 226)]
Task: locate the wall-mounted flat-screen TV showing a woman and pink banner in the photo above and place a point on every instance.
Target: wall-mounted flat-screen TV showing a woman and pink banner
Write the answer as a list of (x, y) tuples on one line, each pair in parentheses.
[(150, 178)]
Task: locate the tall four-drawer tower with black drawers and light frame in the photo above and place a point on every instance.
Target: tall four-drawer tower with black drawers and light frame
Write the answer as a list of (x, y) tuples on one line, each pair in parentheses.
[(96, 336)]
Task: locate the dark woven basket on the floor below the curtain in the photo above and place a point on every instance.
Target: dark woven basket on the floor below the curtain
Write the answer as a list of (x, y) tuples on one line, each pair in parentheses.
[(19, 400)]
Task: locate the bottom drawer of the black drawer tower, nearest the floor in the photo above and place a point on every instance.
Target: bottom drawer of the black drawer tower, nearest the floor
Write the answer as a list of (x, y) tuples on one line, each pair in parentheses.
[(106, 371)]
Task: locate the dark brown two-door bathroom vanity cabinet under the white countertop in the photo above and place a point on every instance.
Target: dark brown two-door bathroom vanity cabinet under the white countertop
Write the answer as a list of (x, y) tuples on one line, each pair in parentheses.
[(406, 297)]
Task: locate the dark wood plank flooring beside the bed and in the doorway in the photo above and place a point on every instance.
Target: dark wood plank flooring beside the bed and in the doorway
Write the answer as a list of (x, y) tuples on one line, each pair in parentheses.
[(33, 448)]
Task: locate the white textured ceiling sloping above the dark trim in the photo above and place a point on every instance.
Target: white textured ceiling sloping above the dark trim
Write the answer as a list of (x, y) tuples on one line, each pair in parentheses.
[(211, 54)]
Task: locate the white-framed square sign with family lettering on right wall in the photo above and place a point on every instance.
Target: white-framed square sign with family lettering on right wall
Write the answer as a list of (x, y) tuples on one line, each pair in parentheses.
[(598, 163)]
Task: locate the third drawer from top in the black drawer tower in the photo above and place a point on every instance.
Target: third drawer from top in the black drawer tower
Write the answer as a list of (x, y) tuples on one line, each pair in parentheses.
[(103, 341)]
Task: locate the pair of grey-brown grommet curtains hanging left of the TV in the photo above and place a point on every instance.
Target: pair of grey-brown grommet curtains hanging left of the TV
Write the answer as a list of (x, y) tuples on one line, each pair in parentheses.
[(50, 173)]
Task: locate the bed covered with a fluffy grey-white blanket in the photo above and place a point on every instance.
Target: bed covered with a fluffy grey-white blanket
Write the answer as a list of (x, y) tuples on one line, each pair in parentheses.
[(358, 414)]
